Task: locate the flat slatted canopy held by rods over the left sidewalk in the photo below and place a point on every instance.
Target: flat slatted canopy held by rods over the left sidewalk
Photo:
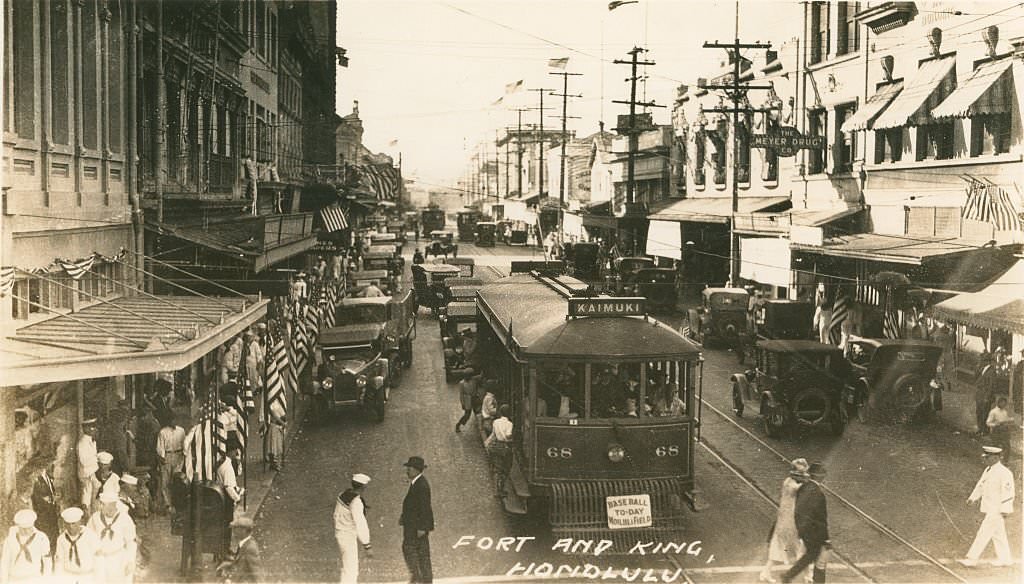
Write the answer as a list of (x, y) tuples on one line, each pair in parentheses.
[(127, 337)]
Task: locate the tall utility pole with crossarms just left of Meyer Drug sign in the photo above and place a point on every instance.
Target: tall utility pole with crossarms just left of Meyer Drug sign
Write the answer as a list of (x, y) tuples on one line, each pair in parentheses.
[(737, 93)]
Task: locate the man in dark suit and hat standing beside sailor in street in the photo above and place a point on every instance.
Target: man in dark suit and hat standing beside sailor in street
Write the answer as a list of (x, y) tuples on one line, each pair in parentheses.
[(417, 522)]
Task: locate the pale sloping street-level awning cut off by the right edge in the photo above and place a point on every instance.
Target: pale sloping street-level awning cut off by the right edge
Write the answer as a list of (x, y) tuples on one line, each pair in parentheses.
[(999, 307)]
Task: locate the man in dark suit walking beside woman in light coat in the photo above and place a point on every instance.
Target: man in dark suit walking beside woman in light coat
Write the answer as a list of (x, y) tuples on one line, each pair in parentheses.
[(812, 515)]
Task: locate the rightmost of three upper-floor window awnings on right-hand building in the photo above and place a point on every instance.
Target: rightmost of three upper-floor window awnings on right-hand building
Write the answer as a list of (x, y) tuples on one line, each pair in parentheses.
[(987, 92)]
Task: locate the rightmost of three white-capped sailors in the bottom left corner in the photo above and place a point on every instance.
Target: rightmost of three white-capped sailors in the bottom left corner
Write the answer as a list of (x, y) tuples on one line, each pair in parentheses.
[(116, 556)]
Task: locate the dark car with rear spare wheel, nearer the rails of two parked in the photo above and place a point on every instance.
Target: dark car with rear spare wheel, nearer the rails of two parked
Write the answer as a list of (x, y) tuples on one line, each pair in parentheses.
[(799, 385)]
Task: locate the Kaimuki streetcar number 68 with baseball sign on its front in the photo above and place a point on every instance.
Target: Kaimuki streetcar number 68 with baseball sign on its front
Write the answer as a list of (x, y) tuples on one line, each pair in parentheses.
[(604, 400)]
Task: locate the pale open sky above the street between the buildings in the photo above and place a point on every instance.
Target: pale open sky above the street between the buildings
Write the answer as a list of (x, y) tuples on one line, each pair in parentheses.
[(428, 73)]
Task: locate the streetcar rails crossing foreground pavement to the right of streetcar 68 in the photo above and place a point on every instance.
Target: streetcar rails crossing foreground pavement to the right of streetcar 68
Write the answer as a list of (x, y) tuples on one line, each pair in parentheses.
[(875, 524)]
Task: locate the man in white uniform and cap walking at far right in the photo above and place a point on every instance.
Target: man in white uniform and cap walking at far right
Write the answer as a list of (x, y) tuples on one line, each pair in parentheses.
[(996, 491)]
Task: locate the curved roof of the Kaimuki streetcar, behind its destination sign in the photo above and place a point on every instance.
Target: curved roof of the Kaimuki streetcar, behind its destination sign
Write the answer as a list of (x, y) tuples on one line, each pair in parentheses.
[(540, 327)]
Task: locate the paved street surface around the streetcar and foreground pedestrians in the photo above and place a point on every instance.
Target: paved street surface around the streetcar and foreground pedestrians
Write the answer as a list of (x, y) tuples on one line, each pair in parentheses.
[(927, 471)]
